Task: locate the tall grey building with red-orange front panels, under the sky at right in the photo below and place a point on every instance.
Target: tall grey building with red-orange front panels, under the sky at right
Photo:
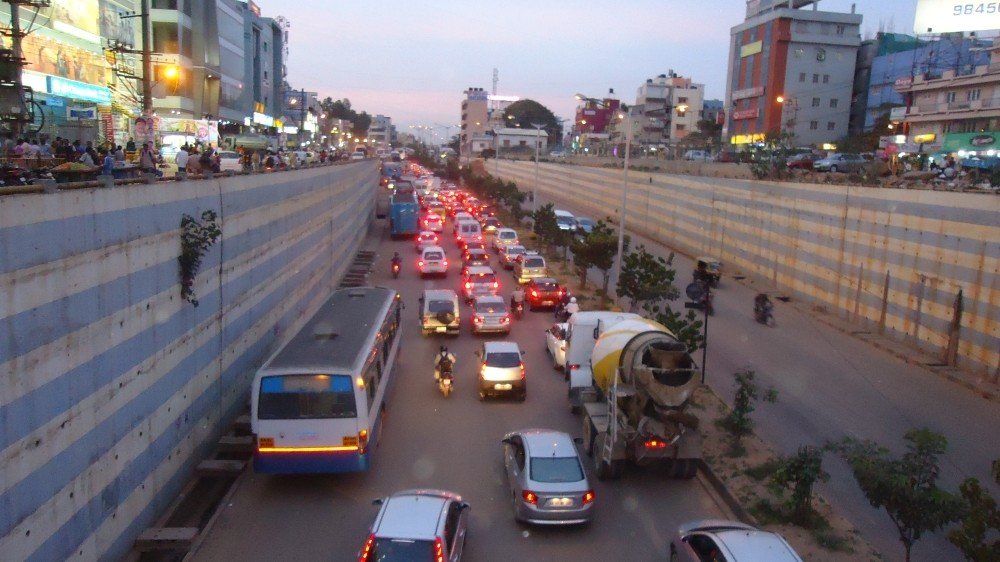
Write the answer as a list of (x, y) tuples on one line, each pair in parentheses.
[(791, 70)]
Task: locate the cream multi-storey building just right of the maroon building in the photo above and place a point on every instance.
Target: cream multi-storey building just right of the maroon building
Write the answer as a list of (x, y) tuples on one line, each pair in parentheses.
[(666, 109)]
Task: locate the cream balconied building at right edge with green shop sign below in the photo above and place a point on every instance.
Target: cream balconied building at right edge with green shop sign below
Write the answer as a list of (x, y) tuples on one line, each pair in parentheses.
[(959, 112)]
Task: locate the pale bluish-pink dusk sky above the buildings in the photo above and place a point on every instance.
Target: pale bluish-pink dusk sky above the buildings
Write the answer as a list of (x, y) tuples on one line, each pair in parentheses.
[(412, 60)]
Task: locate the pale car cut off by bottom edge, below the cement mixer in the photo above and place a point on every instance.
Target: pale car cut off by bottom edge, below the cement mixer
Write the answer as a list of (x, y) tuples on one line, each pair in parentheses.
[(732, 541)]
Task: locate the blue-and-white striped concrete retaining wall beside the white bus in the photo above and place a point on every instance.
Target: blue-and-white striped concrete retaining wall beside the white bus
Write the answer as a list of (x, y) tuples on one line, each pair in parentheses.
[(111, 386)]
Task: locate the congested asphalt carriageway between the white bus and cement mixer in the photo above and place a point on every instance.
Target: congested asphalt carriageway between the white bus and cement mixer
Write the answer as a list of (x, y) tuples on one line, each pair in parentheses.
[(453, 443)]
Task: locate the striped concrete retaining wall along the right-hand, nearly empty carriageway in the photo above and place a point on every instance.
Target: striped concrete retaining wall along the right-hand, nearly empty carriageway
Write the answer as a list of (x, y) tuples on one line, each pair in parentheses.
[(891, 260)]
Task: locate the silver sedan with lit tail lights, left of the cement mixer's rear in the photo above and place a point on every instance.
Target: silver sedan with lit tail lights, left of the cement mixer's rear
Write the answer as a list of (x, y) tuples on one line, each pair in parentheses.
[(548, 484)]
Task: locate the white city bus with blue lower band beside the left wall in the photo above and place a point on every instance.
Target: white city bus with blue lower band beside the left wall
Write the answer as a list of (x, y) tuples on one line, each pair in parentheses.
[(317, 403)]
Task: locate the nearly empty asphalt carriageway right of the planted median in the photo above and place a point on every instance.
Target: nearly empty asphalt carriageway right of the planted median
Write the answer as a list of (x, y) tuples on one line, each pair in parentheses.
[(831, 385)]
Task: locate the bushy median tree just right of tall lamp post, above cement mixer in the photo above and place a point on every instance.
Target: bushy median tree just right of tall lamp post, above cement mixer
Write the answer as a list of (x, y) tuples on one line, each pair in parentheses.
[(646, 278)]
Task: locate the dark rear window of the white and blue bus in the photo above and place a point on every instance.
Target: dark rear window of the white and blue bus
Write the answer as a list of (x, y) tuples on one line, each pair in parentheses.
[(303, 397)]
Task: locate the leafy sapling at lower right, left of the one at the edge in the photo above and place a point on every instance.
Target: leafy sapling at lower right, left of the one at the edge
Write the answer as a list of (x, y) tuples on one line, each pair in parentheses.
[(905, 487)]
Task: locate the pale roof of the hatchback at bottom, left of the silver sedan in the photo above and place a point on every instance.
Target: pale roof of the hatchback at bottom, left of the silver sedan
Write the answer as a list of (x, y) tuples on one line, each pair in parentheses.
[(412, 514)]
